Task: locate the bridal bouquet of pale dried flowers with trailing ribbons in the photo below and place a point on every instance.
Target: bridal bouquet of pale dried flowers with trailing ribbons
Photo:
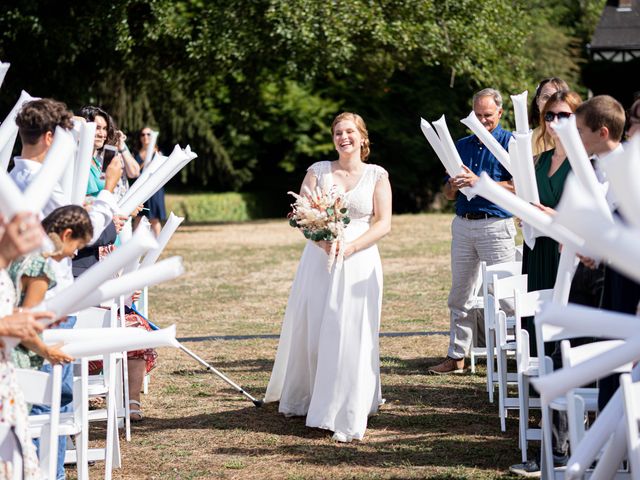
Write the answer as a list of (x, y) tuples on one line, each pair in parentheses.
[(322, 215)]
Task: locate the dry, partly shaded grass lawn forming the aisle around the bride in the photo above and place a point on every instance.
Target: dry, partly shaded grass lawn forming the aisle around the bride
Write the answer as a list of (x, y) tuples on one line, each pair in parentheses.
[(237, 281)]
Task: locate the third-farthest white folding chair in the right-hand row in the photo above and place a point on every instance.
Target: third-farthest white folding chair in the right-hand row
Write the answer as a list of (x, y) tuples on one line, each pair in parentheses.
[(526, 305)]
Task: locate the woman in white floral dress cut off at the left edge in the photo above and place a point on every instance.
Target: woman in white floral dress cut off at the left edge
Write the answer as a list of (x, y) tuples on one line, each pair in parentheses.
[(17, 452)]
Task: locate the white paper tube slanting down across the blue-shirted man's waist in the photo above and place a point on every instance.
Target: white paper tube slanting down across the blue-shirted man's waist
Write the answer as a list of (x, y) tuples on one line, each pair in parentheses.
[(489, 189)]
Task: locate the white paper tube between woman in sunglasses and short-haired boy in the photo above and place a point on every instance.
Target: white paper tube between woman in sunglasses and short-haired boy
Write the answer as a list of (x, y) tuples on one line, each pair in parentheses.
[(579, 160)]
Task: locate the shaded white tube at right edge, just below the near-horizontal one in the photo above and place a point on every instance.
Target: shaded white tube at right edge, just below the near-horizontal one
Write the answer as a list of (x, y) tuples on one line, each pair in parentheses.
[(561, 381)]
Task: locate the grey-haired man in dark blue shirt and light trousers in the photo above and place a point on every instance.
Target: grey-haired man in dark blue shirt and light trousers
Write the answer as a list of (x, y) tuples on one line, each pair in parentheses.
[(481, 231)]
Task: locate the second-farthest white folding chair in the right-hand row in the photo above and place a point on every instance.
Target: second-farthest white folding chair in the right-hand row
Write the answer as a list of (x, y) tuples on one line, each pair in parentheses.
[(504, 290)]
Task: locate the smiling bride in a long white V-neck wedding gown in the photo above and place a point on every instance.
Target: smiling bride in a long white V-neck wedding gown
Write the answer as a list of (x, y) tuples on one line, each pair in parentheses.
[(328, 365)]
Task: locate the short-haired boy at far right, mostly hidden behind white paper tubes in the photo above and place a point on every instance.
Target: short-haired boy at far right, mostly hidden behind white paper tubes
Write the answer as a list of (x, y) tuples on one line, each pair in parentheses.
[(600, 122)]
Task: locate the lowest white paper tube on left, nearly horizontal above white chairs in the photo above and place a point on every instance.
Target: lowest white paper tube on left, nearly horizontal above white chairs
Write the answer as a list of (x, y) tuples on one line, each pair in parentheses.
[(165, 337)]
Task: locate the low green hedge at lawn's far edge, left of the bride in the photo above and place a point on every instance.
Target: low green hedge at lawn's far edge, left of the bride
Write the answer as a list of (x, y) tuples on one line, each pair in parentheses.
[(221, 207)]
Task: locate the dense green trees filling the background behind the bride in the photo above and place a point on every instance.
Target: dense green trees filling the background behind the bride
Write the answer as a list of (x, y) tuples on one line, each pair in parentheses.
[(252, 85)]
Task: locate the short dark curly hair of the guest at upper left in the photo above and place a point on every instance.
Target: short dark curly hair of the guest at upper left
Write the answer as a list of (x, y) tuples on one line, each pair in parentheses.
[(38, 117)]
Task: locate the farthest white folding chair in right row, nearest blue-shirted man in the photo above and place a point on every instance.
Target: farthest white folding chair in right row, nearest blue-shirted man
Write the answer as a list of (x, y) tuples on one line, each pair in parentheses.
[(501, 270)]
